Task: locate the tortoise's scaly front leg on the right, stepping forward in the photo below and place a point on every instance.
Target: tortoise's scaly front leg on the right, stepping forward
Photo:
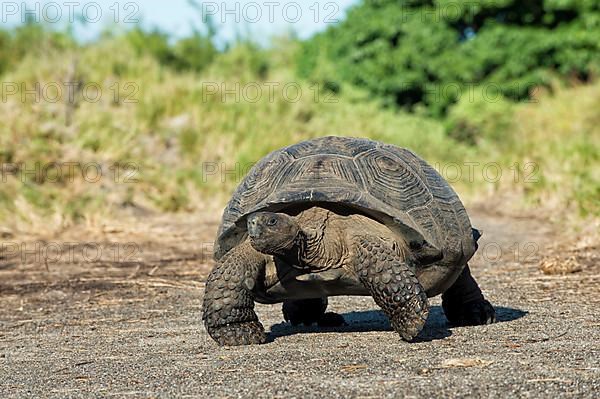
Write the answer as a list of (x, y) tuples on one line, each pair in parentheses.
[(393, 285)]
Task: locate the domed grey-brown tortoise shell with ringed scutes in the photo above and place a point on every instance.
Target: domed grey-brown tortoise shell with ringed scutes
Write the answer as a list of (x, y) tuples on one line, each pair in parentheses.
[(388, 183)]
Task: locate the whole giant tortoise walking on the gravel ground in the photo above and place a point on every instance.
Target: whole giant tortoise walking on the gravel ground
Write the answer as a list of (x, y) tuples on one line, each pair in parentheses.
[(341, 216)]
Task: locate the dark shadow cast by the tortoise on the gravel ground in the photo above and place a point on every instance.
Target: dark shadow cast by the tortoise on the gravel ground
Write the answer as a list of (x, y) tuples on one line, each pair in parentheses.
[(436, 327)]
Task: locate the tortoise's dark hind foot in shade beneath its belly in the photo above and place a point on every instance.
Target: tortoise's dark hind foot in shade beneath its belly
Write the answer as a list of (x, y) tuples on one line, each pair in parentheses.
[(309, 311)]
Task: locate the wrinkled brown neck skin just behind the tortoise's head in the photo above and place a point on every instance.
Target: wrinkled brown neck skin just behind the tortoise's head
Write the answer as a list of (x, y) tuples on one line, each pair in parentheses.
[(316, 250)]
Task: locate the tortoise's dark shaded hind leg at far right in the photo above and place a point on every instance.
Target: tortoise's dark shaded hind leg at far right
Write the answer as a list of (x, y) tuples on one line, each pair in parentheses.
[(464, 304)]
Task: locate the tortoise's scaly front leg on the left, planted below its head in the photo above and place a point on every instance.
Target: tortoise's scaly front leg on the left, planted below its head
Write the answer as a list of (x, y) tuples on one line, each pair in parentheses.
[(228, 308)]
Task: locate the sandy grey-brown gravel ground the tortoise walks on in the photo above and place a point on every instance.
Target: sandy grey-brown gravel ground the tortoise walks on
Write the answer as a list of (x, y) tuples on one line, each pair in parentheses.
[(115, 312)]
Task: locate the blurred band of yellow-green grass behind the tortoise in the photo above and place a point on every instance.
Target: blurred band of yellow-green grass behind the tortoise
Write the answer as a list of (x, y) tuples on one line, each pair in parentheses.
[(177, 146)]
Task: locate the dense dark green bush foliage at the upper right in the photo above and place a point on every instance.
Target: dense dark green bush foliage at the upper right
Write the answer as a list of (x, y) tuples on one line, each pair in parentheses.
[(429, 53)]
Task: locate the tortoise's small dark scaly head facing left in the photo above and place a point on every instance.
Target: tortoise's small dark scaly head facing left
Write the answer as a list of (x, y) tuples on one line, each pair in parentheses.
[(273, 233)]
